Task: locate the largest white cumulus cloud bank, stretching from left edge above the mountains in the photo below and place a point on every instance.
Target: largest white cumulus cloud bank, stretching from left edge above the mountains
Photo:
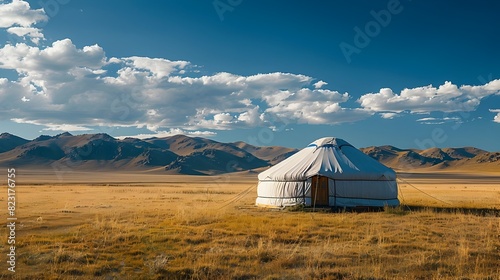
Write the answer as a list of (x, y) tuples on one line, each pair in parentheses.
[(67, 85)]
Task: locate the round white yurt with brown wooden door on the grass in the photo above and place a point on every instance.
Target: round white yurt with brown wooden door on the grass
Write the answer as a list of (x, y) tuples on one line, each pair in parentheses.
[(328, 172)]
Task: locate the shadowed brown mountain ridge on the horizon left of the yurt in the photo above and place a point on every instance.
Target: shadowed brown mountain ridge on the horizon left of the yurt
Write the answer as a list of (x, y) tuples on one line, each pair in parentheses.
[(177, 154)]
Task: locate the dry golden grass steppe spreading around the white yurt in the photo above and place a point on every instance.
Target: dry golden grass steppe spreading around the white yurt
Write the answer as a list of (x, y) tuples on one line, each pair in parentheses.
[(147, 226)]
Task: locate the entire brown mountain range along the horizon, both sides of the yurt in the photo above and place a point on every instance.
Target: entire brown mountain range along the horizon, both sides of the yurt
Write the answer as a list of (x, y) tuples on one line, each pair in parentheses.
[(181, 154)]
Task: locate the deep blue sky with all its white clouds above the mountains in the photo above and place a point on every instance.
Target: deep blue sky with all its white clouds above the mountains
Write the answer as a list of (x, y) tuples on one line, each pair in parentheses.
[(413, 74)]
